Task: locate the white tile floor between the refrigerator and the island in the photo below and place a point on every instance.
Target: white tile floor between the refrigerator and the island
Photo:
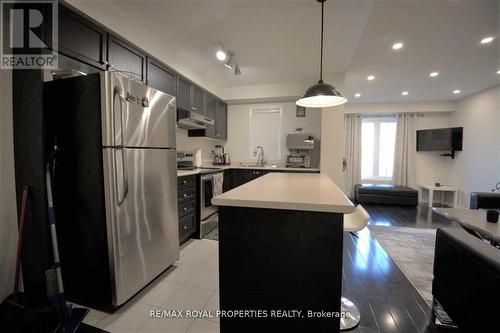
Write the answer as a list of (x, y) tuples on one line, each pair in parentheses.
[(190, 284)]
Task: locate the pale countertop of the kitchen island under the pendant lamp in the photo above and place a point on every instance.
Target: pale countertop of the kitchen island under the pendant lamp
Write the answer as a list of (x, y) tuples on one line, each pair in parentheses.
[(294, 191)]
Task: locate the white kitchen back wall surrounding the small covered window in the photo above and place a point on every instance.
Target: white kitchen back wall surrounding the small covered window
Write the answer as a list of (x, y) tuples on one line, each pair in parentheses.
[(239, 128)]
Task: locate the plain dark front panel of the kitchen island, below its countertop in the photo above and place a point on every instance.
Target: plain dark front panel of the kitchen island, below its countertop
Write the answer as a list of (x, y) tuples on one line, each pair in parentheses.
[(280, 260)]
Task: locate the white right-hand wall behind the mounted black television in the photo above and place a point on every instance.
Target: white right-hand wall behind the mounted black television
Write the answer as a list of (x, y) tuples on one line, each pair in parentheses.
[(477, 167)]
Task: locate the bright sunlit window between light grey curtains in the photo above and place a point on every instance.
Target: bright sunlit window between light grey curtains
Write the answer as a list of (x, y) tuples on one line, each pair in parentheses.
[(378, 139)]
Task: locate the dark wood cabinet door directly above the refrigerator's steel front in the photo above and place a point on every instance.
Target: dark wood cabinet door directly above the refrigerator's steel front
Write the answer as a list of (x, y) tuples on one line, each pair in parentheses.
[(126, 59)]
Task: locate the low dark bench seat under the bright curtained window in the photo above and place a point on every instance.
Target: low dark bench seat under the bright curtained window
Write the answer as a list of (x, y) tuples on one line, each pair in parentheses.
[(387, 194)]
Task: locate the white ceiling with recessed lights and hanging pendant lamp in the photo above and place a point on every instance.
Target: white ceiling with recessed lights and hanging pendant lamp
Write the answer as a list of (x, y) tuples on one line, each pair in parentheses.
[(277, 42)]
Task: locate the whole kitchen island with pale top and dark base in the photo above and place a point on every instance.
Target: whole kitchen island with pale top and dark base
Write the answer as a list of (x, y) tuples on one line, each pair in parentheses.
[(280, 254)]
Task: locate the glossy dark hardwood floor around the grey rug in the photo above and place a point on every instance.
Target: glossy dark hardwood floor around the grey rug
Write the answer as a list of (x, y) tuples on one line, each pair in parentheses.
[(386, 299)]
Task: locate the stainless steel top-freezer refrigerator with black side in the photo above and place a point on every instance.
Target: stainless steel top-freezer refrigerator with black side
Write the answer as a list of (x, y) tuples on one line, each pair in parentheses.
[(115, 187)]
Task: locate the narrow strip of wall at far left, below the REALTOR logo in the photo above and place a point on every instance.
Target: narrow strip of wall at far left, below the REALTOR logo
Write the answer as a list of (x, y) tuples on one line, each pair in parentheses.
[(8, 215)]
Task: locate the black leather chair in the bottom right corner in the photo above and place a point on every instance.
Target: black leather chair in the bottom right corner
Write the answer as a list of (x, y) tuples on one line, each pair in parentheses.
[(467, 280)]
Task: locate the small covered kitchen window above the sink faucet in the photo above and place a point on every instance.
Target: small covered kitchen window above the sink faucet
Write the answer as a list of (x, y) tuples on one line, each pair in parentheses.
[(265, 131)]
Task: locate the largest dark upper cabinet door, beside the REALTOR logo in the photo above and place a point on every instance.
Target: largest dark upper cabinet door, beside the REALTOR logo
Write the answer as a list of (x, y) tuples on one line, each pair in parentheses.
[(81, 39)]
